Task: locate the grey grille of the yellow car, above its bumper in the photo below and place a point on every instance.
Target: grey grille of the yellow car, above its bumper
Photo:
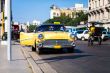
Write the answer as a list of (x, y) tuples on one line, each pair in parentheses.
[(63, 42)]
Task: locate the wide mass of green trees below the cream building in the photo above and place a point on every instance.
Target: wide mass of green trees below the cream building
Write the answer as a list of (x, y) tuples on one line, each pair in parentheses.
[(66, 20)]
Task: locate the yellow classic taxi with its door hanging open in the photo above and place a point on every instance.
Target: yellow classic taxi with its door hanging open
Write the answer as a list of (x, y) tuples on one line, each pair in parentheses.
[(48, 37)]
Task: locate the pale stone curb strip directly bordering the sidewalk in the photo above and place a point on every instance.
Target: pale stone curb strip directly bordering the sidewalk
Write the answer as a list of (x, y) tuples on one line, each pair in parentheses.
[(31, 62)]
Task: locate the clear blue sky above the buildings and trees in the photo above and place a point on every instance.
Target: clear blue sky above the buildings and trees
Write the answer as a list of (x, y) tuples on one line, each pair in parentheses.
[(29, 10)]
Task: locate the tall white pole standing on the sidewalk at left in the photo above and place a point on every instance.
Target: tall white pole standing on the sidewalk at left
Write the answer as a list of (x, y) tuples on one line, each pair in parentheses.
[(8, 23)]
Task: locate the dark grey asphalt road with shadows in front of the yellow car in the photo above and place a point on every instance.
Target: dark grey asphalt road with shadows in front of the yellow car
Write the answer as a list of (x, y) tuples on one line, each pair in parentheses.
[(85, 59)]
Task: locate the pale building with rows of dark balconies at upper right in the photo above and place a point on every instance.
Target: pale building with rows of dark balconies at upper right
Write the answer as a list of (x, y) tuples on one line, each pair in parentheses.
[(99, 11)]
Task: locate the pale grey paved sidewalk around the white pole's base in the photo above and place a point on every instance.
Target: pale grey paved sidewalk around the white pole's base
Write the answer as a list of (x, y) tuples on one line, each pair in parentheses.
[(18, 64)]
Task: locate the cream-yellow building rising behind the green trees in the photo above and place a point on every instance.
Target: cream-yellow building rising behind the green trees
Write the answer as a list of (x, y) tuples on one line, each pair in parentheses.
[(56, 11)]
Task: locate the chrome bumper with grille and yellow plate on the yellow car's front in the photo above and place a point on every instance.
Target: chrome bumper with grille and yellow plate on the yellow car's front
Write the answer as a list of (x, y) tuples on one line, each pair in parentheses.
[(56, 44)]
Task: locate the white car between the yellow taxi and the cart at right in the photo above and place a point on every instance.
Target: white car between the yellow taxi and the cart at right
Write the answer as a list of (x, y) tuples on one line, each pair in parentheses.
[(83, 35)]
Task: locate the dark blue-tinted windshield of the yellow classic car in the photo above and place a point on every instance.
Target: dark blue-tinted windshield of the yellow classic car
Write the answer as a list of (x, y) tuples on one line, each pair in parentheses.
[(51, 28)]
